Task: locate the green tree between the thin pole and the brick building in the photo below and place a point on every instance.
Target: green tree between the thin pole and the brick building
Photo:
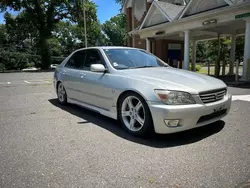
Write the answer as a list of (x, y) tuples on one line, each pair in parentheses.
[(115, 30)]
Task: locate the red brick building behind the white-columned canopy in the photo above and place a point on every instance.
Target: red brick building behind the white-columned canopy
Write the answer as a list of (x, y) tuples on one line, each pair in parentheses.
[(170, 51)]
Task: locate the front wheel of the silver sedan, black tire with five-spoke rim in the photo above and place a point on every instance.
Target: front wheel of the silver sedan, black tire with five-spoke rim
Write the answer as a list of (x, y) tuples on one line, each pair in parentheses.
[(135, 115)]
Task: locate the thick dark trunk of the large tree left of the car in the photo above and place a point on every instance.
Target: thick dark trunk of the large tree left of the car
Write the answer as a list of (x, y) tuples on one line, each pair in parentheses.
[(44, 52)]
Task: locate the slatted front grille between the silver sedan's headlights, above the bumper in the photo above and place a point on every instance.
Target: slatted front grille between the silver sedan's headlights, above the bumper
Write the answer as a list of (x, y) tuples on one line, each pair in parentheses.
[(213, 96)]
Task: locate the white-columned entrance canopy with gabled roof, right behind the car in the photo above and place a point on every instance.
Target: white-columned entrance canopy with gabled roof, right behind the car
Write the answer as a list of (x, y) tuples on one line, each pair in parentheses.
[(199, 20)]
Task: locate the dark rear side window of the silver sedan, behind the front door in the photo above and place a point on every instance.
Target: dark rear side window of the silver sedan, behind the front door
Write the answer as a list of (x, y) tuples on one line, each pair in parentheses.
[(77, 60)]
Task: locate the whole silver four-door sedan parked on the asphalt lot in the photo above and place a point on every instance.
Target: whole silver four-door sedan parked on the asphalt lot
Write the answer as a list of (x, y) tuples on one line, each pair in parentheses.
[(140, 90)]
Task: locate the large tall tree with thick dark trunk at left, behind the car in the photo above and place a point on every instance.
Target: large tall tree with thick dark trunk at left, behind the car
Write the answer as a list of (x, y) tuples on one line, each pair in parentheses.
[(44, 15)]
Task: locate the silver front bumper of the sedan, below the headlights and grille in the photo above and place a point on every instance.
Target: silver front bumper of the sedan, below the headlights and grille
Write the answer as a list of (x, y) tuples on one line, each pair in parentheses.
[(188, 115)]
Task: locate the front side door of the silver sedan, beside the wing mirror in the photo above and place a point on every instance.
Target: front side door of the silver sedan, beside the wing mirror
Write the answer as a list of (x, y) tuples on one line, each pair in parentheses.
[(96, 85)]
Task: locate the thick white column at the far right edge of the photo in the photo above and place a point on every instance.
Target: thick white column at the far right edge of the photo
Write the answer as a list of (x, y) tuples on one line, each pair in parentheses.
[(246, 50)]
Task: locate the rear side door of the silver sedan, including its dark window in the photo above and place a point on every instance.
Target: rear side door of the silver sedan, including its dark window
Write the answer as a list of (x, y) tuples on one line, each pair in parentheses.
[(71, 75)]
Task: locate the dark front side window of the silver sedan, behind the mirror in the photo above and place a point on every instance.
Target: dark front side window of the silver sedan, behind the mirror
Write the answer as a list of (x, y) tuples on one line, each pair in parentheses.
[(93, 57)]
